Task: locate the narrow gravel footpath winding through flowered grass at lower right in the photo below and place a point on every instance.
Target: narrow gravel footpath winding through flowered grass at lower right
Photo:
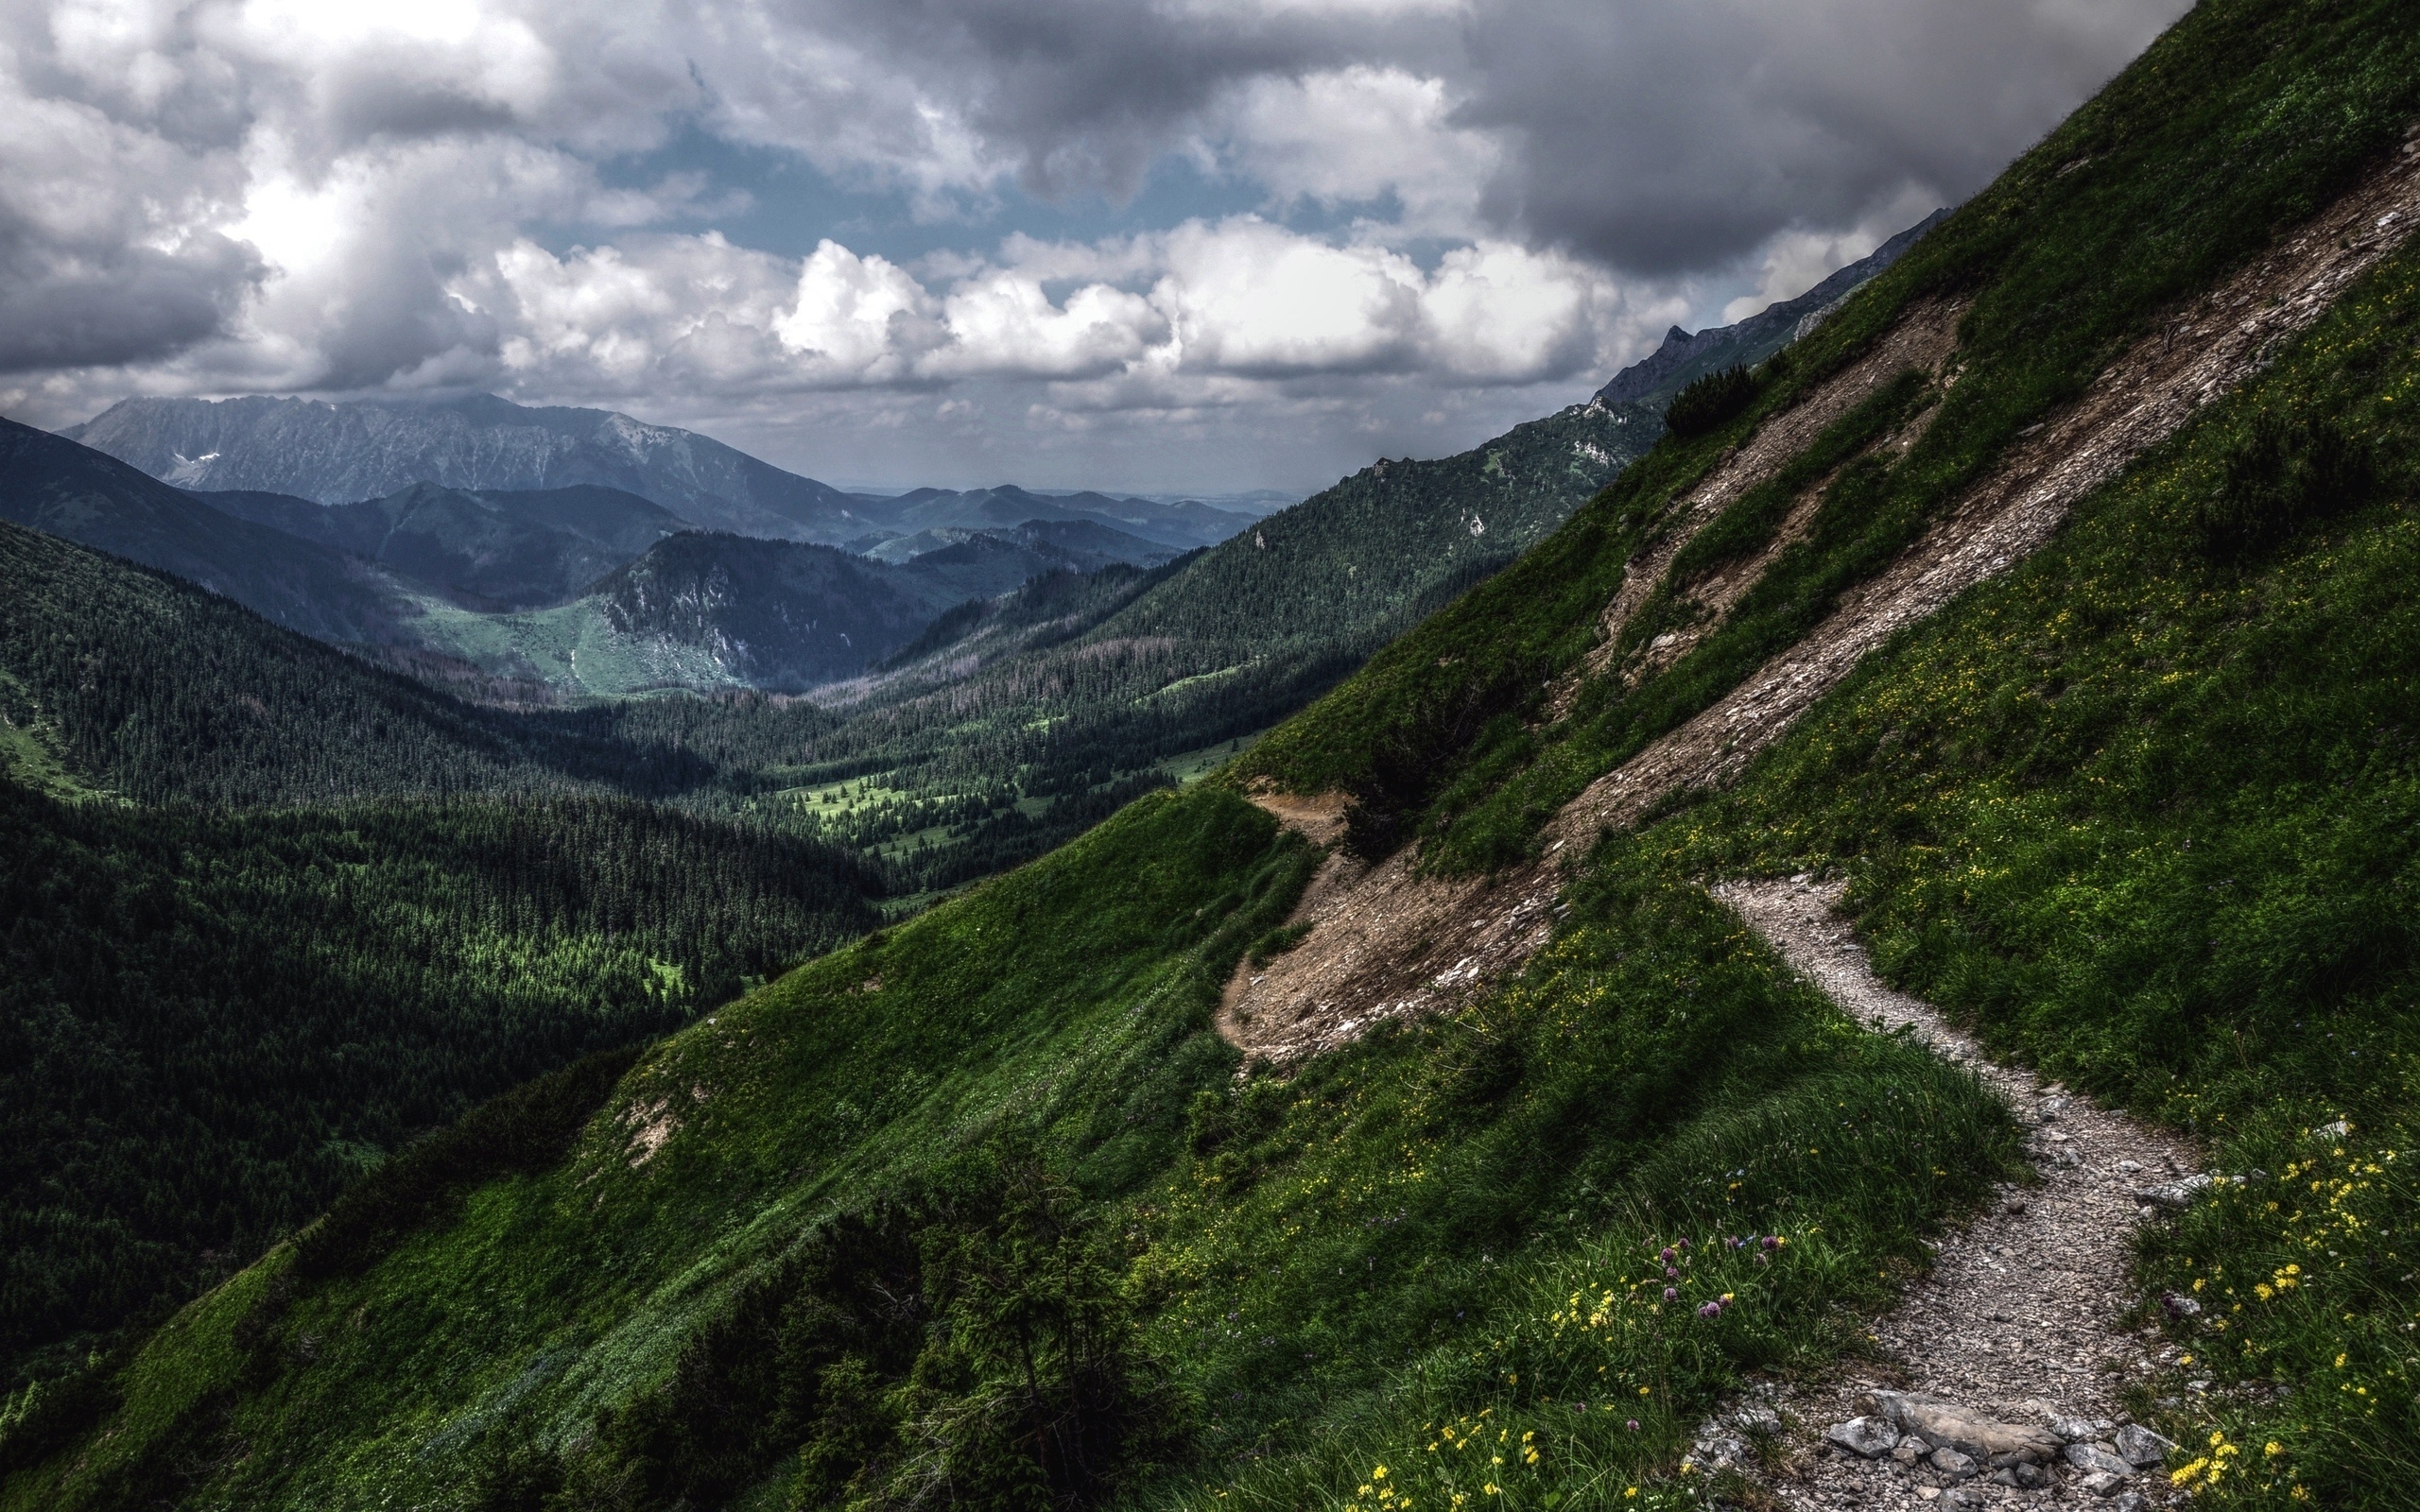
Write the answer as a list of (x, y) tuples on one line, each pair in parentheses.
[(2019, 1317)]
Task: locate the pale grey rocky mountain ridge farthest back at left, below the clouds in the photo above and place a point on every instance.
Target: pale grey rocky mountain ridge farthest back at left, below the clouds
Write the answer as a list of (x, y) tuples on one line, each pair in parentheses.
[(340, 454)]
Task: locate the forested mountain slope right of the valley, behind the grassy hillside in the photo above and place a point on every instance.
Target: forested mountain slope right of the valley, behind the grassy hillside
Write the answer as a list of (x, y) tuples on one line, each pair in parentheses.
[(1003, 725)]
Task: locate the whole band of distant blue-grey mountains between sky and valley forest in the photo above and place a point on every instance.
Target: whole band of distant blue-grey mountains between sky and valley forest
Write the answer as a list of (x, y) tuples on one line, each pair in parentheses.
[(587, 553)]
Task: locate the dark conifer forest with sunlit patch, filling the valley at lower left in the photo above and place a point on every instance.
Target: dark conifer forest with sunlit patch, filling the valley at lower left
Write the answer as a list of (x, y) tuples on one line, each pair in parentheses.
[(212, 1022)]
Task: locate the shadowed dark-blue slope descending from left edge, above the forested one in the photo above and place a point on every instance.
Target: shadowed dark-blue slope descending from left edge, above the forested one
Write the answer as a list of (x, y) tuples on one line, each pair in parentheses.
[(79, 495)]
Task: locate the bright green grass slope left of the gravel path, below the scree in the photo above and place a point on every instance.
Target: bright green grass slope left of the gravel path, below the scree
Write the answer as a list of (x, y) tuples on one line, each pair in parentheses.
[(1388, 1223)]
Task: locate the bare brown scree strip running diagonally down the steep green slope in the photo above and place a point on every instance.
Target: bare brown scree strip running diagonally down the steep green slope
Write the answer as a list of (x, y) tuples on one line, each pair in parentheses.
[(1390, 942)]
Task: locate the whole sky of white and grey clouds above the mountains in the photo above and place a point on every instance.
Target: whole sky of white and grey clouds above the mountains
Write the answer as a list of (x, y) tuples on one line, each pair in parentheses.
[(1066, 243)]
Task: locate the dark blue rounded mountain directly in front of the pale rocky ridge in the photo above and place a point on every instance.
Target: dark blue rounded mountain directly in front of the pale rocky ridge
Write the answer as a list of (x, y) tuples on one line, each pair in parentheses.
[(495, 550)]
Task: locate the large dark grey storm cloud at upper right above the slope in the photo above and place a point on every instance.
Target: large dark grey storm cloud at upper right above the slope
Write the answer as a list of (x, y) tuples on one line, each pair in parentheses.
[(1673, 137)]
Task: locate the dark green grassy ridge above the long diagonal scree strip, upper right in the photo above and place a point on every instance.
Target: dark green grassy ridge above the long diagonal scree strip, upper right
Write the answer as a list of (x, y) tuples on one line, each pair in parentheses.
[(2232, 127)]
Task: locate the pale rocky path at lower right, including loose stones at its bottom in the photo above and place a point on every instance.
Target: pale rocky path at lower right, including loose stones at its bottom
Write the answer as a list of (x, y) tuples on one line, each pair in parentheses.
[(2012, 1349)]
